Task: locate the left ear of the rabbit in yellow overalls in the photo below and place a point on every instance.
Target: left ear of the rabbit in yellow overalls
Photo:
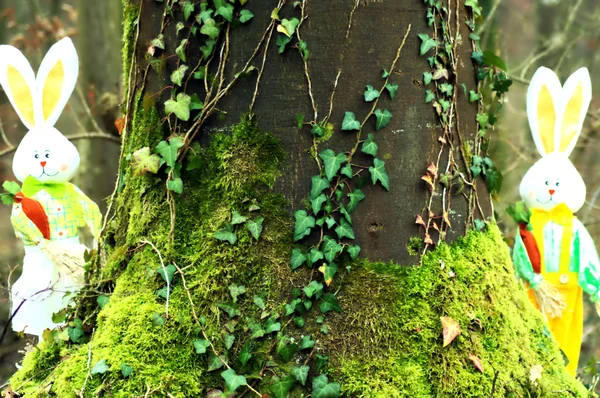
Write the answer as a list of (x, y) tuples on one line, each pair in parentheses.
[(542, 102)]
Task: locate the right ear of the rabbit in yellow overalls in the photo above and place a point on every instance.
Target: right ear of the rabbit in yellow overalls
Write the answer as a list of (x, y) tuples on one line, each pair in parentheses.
[(575, 101)]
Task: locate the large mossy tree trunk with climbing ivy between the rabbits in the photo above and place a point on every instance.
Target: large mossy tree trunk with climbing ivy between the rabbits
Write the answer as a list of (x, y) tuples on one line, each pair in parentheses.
[(193, 292)]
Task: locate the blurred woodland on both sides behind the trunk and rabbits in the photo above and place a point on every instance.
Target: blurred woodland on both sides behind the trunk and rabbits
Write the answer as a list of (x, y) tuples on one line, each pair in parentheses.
[(561, 34)]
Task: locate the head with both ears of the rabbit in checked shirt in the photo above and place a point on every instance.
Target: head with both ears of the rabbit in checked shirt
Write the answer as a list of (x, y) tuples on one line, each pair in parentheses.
[(44, 153)]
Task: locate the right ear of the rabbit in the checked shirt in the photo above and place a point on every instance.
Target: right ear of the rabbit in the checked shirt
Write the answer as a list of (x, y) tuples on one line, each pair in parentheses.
[(56, 79)]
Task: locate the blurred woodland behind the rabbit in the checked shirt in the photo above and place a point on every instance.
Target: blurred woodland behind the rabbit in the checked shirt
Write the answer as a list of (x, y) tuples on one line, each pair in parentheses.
[(33, 26)]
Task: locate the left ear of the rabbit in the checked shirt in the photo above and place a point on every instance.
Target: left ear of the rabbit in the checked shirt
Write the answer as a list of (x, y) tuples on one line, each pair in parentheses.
[(18, 80)]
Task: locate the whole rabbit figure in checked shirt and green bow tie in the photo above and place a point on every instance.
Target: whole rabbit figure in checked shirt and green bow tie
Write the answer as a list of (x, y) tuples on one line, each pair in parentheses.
[(49, 211)]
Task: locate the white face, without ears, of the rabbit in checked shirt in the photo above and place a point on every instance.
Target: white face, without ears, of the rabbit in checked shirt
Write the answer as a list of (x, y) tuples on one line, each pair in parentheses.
[(46, 155)]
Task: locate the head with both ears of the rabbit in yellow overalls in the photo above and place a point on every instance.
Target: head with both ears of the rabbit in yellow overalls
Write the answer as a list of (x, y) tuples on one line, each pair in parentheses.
[(556, 115)]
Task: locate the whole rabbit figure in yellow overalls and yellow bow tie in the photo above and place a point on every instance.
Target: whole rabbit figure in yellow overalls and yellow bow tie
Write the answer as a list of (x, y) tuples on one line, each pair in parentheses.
[(562, 255)]
